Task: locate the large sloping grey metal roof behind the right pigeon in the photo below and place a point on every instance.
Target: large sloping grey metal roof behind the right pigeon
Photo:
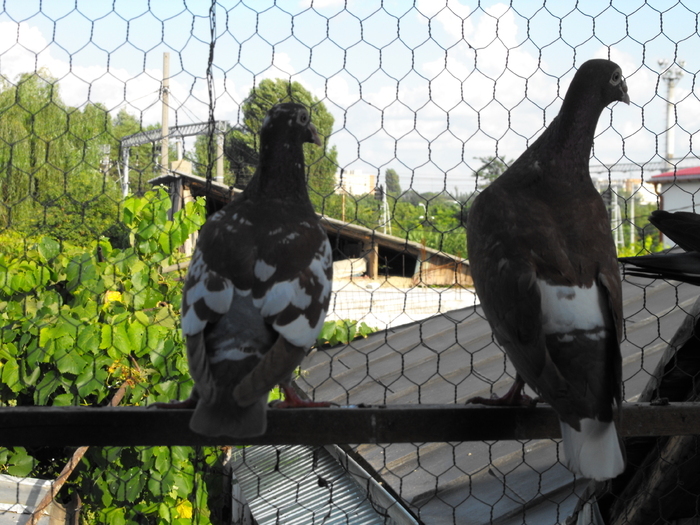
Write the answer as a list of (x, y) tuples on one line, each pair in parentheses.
[(452, 357)]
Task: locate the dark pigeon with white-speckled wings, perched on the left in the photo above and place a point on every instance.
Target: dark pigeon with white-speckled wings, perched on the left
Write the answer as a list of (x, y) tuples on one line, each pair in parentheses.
[(258, 286)]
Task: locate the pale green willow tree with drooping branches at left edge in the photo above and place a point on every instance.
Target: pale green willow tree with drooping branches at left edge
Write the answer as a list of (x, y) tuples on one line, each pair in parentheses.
[(50, 158)]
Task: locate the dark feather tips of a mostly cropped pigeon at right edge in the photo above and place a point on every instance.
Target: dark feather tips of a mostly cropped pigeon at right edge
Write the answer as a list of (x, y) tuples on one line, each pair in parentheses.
[(683, 228)]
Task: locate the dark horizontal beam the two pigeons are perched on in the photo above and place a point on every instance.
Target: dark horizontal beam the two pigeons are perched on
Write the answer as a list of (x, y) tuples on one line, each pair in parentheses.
[(130, 426)]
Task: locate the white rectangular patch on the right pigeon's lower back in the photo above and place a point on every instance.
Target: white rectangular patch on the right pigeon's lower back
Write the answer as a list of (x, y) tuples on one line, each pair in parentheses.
[(569, 308)]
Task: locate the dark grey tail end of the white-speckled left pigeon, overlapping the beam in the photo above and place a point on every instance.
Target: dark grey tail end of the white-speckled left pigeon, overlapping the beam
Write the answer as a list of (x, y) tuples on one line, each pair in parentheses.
[(228, 419)]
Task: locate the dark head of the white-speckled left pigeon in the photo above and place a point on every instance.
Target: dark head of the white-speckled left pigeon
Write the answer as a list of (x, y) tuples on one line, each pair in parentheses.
[(288, 123)]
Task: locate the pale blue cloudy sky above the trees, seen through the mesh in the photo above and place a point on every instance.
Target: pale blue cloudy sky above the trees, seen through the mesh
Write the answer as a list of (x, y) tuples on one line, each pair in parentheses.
[(426, 87)]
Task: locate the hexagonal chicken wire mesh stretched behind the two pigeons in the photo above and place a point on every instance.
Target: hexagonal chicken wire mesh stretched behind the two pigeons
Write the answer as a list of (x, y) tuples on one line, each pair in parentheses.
[(420, 105)]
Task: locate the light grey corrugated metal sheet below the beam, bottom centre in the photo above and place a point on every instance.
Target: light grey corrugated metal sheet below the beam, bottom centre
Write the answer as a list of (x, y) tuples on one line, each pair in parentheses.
[(306, 485)]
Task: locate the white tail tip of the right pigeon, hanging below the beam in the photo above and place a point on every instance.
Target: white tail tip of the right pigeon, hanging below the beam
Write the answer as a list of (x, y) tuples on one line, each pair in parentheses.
[(595, 451)]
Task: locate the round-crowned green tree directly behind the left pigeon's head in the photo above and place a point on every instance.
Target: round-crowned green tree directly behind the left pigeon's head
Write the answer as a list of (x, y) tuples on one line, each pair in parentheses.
[(321, 162)]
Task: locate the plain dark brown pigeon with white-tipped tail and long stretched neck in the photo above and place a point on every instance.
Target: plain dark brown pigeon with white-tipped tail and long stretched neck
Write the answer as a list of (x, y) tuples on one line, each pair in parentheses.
[(544, 266)]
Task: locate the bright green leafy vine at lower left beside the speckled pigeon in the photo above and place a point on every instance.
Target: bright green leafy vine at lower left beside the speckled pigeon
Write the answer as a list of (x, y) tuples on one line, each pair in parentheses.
[(78, 323)]
